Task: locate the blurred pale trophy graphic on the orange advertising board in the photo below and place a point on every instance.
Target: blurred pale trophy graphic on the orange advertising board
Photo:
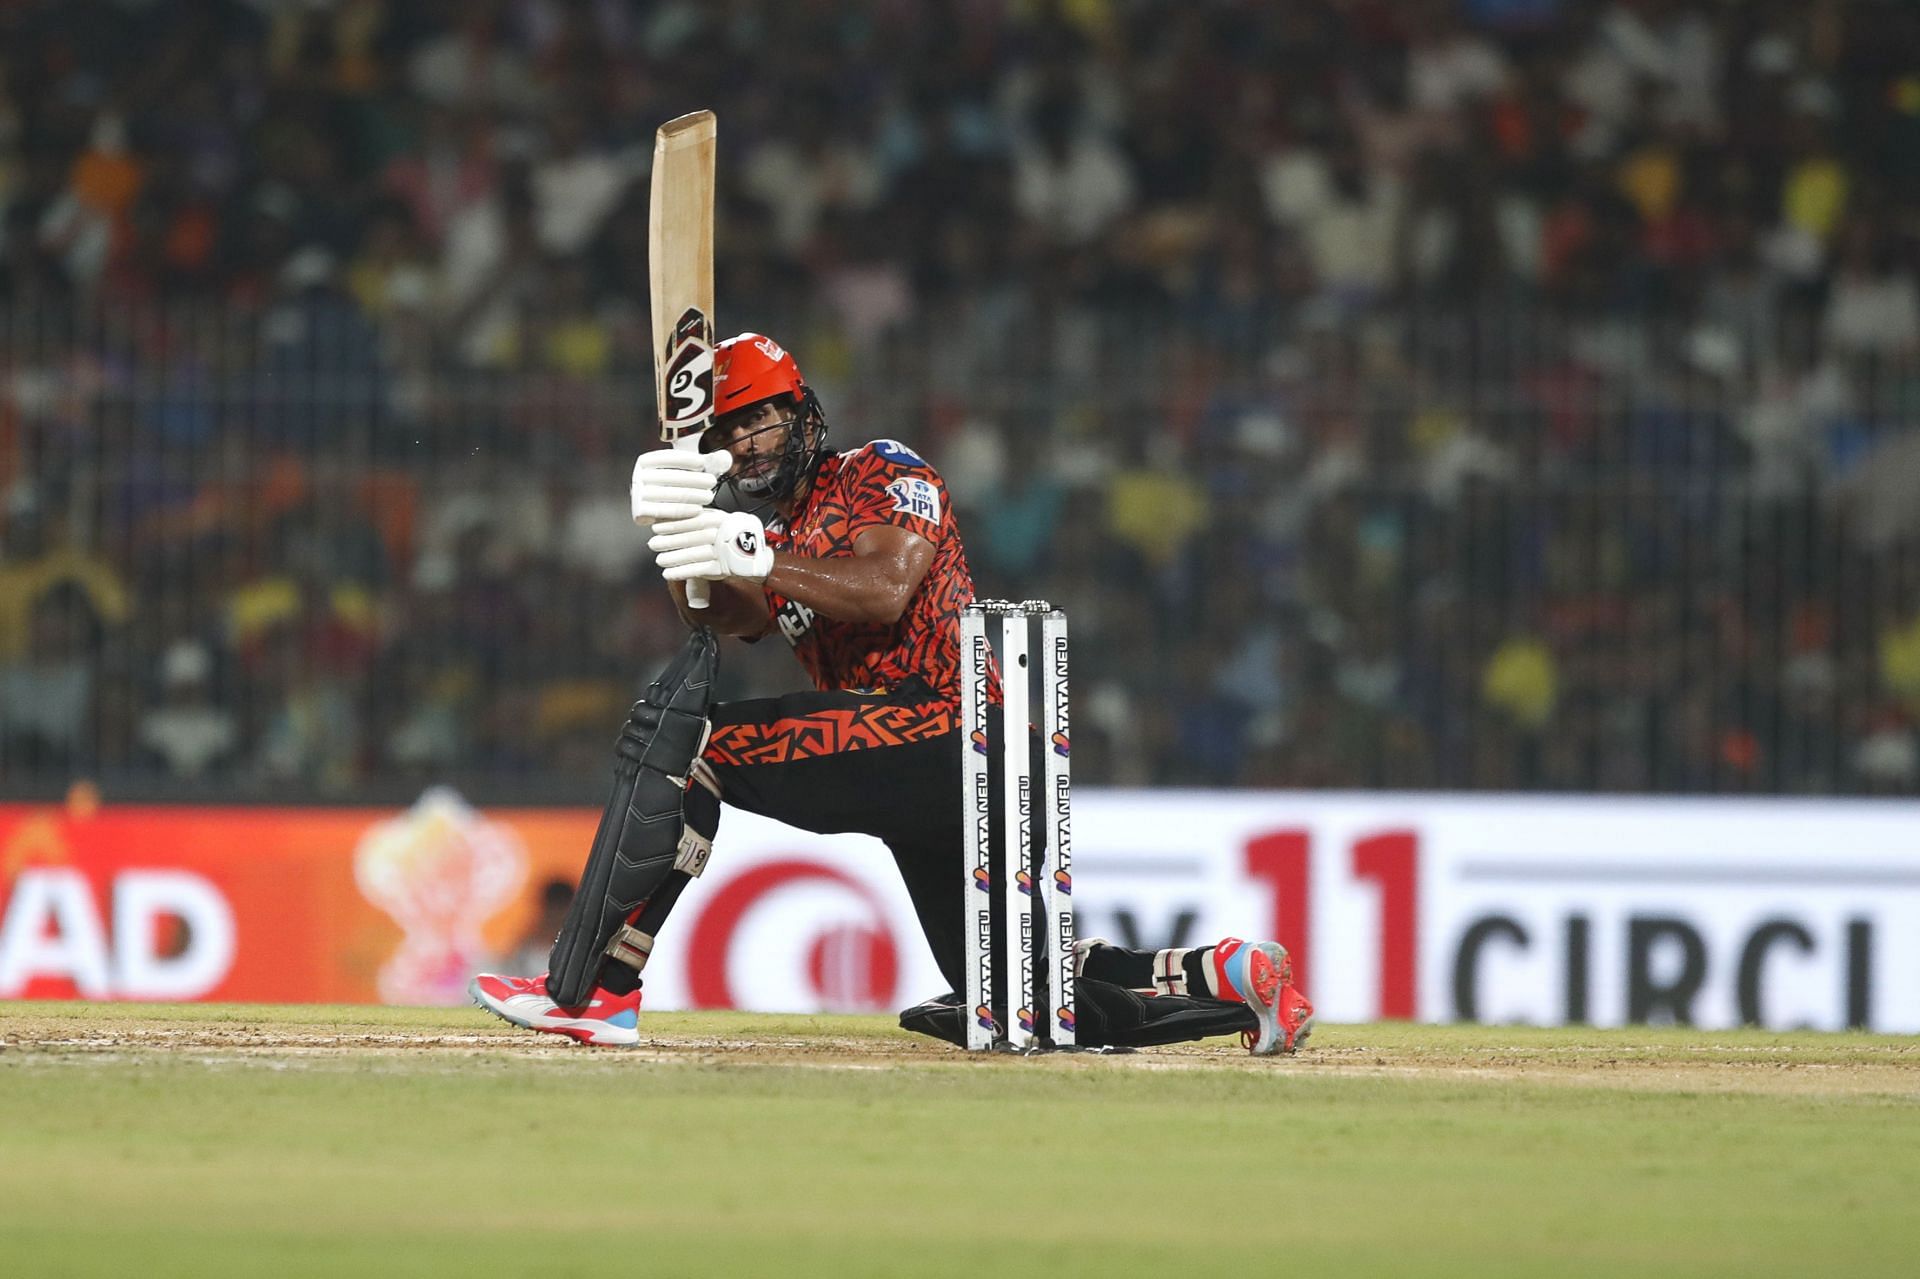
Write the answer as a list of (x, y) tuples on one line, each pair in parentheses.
[(441, 871)]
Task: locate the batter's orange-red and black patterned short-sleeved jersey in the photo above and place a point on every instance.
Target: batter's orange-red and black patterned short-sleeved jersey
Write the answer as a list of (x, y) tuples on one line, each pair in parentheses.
[(880, 483)]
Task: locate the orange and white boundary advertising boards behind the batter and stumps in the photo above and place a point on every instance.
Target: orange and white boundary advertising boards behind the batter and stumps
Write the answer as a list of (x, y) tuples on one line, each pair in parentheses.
[(1433, 907)]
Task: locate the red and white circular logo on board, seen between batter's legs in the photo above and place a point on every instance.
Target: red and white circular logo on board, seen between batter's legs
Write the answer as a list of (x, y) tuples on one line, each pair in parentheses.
[(796, 919)]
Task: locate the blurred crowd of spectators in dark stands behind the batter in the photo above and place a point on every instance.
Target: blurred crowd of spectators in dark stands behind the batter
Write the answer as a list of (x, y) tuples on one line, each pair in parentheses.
[(1397, 393)]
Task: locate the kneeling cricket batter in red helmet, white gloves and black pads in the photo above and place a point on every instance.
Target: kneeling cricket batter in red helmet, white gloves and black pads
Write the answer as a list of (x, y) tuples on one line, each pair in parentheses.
[(857, 562)]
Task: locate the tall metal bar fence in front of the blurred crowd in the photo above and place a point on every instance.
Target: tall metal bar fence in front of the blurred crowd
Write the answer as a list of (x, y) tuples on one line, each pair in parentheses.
[(297, 552)]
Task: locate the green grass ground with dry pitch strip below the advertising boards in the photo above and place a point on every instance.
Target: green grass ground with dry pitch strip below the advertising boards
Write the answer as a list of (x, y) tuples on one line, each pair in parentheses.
[(372, 1142)]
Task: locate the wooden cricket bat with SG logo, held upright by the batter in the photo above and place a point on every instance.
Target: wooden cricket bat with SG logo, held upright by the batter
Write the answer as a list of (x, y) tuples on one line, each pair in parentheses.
[(681, 256)]
